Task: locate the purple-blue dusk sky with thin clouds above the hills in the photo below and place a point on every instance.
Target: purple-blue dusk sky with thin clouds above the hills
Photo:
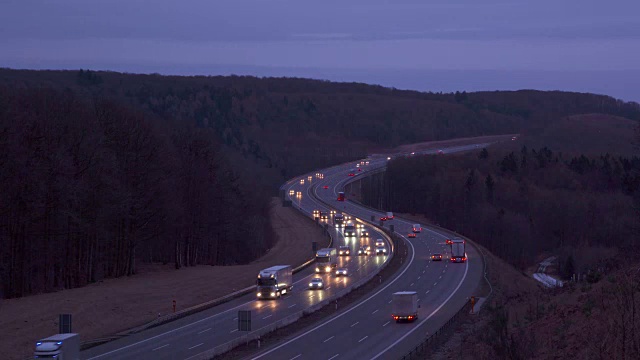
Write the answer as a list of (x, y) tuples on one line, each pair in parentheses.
[(443, 45)]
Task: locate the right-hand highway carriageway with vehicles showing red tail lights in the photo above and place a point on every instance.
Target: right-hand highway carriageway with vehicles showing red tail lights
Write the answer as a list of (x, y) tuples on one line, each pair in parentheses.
[(366, 330)]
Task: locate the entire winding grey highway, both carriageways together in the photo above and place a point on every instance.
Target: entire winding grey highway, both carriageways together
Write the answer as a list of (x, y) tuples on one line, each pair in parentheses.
[(365, 329)]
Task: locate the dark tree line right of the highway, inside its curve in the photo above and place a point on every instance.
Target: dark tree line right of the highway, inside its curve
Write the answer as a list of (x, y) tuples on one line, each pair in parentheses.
[(518, 204)]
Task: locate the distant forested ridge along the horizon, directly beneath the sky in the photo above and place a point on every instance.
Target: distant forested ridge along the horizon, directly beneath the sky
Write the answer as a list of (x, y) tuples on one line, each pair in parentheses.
[(291, 125)]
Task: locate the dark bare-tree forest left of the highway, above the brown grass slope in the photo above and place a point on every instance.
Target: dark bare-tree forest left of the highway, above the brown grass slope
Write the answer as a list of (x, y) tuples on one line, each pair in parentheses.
[(89, 189)]
